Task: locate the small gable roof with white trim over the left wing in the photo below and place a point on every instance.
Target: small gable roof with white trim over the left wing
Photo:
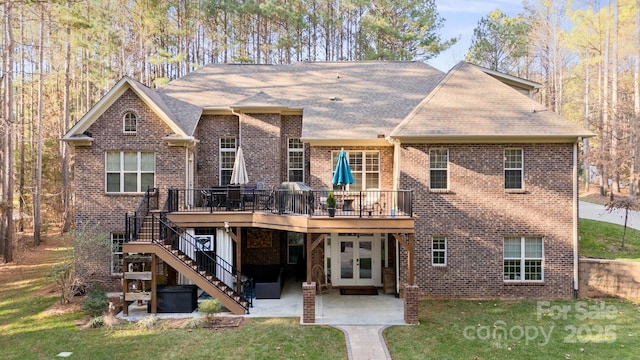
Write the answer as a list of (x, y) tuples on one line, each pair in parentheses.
[(165, 107)]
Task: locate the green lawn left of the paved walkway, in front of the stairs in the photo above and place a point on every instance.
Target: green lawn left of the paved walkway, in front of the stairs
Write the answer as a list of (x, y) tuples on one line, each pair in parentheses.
[(28, 332)]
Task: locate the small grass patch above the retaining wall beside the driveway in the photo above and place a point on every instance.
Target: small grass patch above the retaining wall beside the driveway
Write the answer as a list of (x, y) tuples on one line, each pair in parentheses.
[(602, 240)]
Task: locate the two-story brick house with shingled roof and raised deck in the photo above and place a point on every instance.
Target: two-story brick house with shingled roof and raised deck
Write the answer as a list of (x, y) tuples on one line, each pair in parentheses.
[(464, 186)]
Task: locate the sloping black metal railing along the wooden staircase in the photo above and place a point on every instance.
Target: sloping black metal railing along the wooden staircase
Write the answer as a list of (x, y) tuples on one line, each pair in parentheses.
[(159, 229)]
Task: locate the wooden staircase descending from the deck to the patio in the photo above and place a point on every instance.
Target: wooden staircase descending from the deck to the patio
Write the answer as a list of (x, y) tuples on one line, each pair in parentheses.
[(148, 241)]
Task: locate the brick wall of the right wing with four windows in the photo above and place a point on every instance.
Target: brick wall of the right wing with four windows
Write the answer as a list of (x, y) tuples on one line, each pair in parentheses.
[(476, 214)]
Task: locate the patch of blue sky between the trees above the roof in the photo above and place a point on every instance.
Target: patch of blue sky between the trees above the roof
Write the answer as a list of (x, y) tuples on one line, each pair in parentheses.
[(461, 17)]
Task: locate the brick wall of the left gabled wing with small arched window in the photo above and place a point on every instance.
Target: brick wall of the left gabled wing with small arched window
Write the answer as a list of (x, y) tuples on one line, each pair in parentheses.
[(106, 212)]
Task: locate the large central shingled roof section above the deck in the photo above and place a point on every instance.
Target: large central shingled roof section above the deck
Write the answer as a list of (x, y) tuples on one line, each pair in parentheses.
[(340, 100)]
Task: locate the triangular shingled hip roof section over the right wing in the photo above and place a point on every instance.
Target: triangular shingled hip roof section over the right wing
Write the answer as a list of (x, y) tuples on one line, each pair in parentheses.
[(470, 105)]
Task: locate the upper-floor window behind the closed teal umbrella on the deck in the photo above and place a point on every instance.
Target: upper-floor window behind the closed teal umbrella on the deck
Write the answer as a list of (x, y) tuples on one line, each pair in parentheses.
[(365, 168)]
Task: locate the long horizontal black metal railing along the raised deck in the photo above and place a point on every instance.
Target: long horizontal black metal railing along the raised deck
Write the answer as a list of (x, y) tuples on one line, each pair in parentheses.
[(365, 203)]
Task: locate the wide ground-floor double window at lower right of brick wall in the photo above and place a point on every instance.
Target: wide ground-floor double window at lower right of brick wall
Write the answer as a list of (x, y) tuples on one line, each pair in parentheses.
[(523, 258)]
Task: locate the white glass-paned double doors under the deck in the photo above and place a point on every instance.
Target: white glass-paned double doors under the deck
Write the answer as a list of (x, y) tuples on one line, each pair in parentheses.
[(355, 259)]
